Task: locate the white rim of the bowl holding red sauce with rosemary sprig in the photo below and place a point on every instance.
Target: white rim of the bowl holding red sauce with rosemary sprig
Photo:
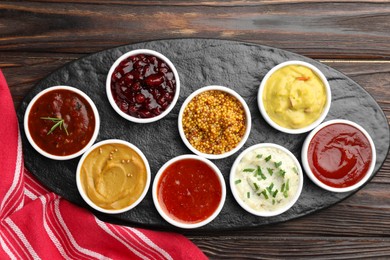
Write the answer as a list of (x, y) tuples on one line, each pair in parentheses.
[(58, 157)]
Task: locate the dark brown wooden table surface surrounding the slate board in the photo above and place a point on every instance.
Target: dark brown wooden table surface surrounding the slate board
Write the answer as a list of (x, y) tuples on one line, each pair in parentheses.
[(37, 37)]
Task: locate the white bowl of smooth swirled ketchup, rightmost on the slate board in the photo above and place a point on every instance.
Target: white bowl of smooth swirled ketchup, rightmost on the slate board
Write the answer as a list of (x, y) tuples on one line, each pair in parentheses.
[(339, 155)]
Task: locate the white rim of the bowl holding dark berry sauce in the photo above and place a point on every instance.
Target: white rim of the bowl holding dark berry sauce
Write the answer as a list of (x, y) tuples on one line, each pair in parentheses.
[(110, 96)]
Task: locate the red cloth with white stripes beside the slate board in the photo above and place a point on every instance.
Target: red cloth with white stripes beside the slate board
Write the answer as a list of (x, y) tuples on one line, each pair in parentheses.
[(38, 224)]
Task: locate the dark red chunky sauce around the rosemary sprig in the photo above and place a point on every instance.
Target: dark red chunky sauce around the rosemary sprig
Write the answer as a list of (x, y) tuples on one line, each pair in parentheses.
[(79, 121)]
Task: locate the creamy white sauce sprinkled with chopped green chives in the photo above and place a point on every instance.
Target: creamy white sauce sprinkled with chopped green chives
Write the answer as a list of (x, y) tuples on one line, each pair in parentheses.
[(266, 179)]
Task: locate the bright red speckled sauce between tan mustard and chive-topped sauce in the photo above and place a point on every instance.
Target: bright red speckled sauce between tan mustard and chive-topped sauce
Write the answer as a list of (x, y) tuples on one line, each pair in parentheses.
[(189, 191)]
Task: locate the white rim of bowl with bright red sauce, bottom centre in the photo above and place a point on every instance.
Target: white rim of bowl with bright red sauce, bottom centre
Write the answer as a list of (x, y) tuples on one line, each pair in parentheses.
[(173, 221)]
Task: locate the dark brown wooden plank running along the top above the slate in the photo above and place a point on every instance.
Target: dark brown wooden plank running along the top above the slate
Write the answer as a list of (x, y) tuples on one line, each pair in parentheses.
[(319, 29)]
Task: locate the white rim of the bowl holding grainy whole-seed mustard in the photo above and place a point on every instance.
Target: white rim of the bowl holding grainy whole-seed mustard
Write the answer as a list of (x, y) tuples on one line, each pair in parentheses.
[(247, 114)]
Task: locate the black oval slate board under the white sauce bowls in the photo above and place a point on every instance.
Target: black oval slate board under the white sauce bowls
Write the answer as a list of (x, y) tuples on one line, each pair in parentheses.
[(201, 62)]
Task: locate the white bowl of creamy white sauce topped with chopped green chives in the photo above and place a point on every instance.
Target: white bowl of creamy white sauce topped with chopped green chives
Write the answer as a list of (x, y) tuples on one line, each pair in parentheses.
[(266, 179)]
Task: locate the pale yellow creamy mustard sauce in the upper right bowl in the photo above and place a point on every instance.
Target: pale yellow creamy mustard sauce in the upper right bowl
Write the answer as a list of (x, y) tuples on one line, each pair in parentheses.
[(294, 96)]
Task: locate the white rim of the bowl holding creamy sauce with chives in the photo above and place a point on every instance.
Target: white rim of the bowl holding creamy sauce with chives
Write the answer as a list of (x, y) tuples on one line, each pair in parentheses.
[(242, 203)]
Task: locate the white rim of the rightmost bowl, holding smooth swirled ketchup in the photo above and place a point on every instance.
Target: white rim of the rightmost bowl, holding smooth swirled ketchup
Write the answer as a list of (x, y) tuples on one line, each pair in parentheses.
[(305, 161)]
